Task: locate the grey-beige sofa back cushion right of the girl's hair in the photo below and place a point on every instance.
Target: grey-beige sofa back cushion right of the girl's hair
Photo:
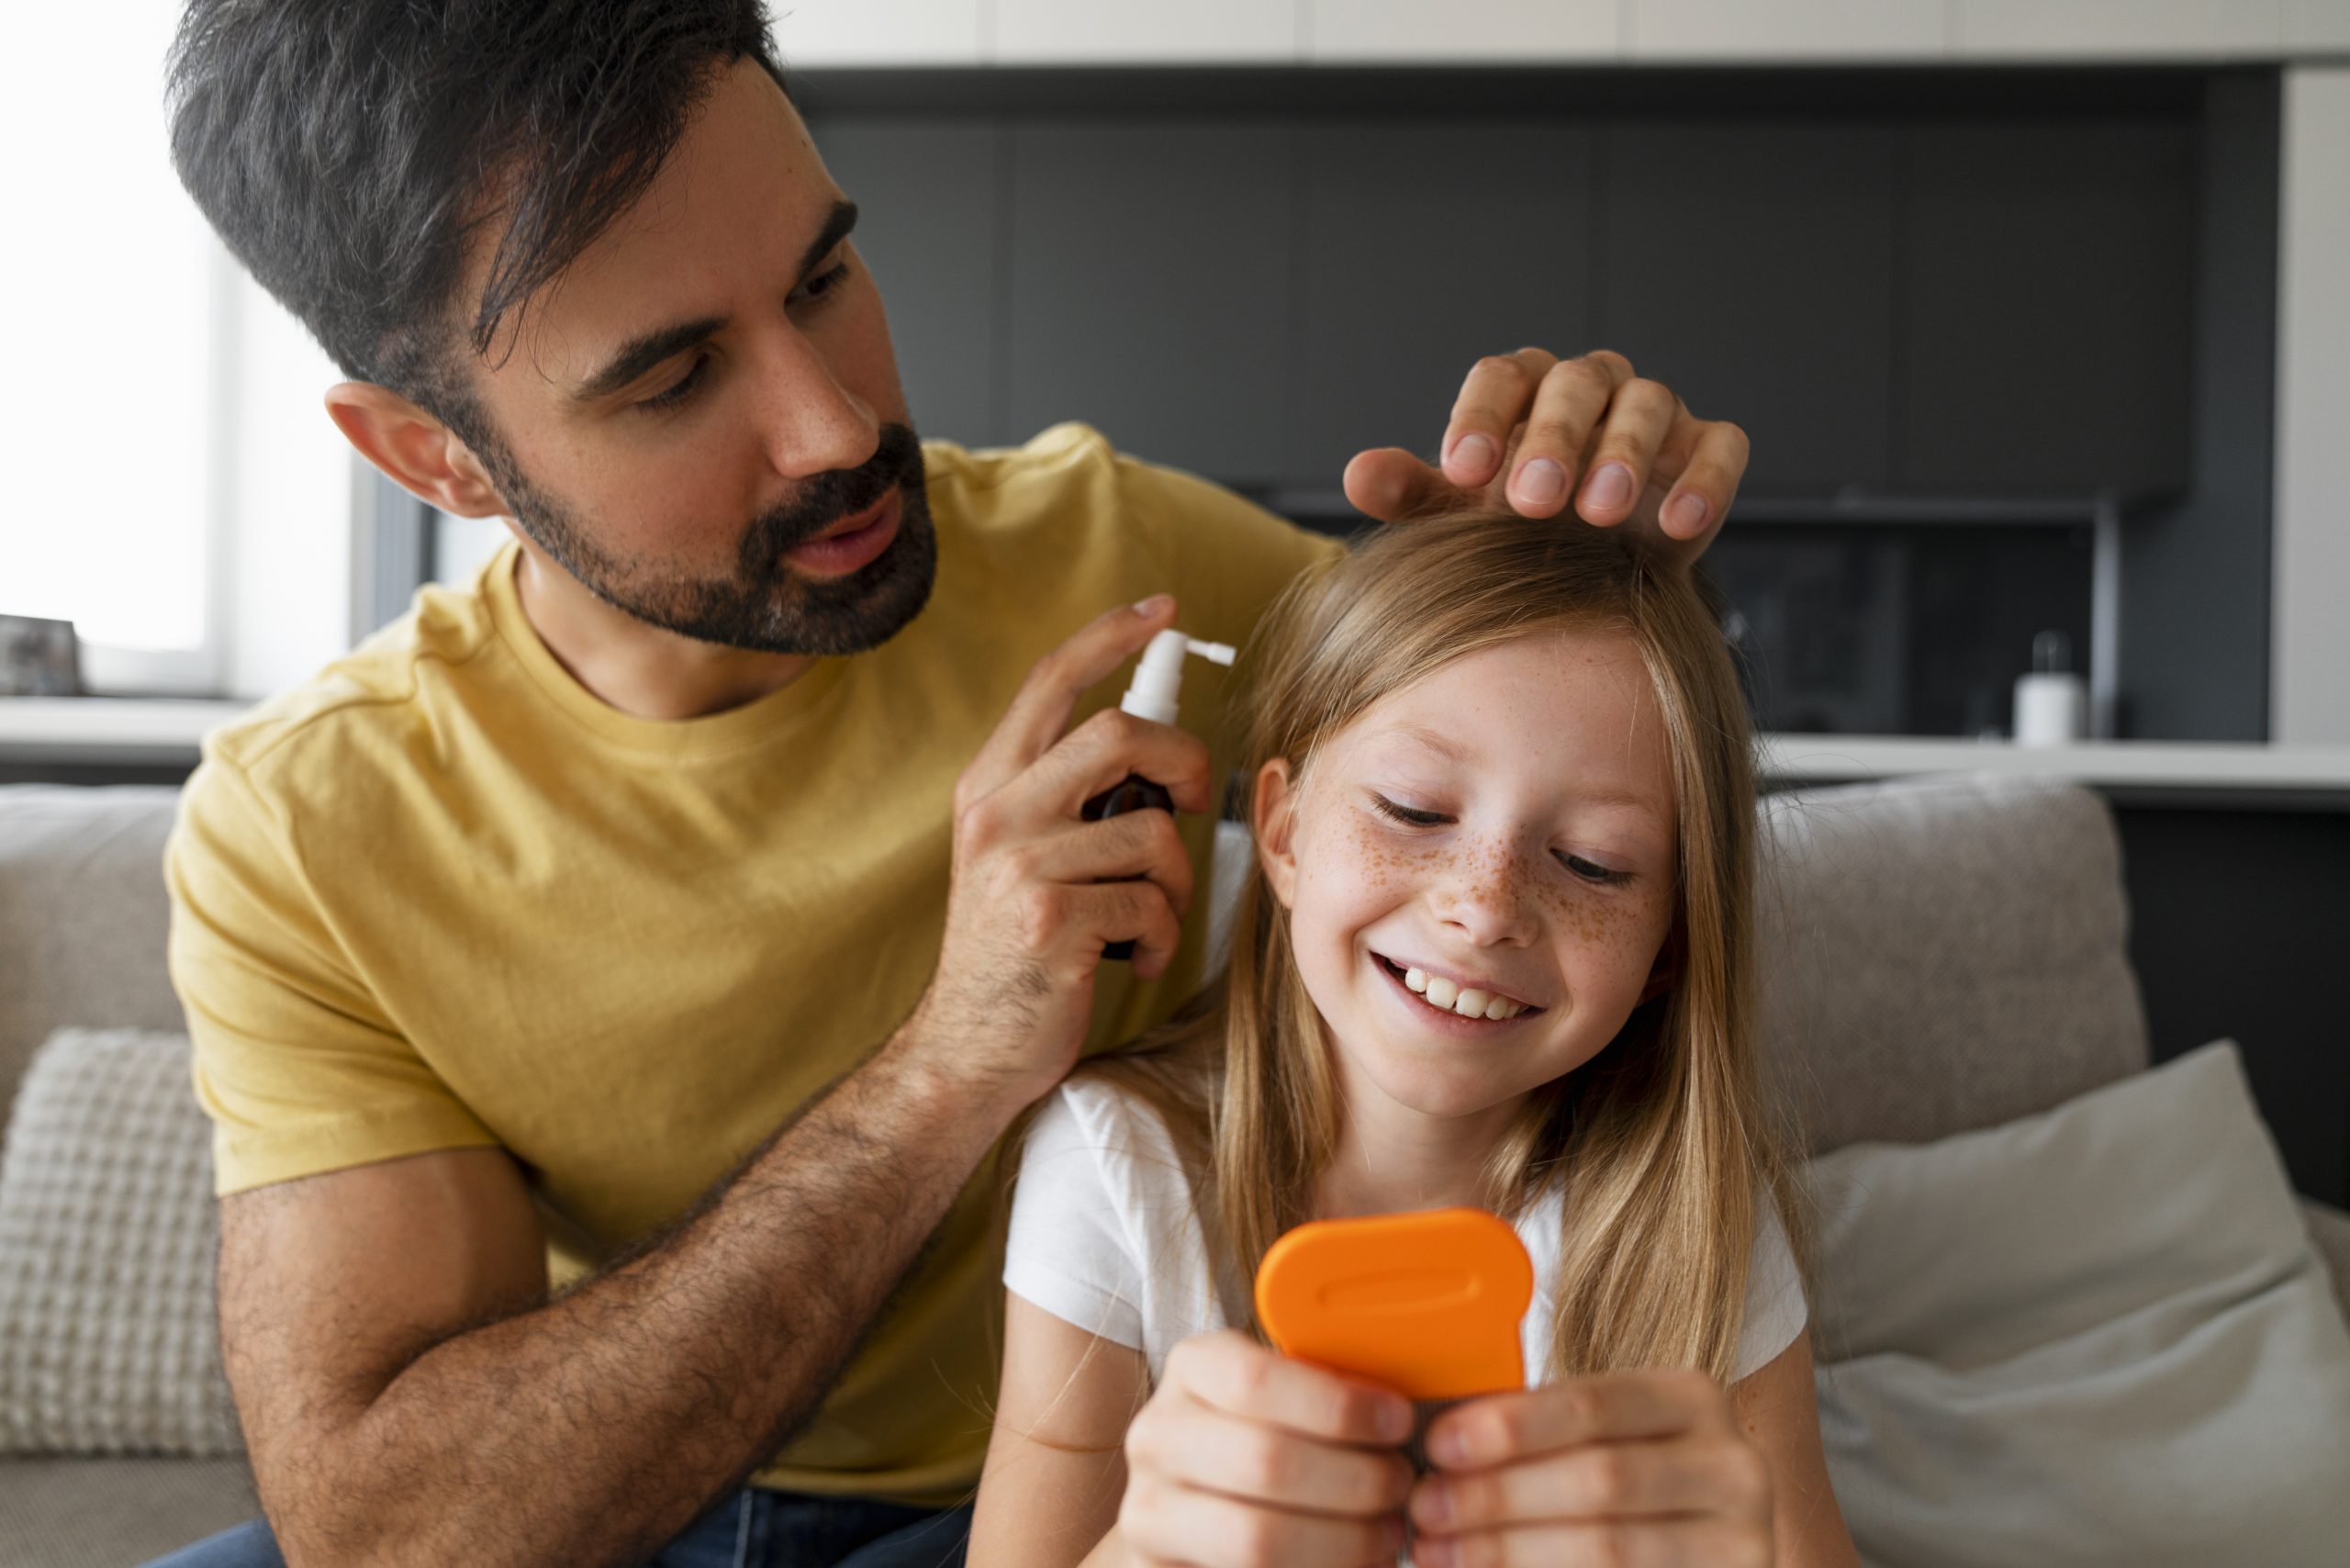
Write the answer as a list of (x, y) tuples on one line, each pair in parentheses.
[(1942, 956)]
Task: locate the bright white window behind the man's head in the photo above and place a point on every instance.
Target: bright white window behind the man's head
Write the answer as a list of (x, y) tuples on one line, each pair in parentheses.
[(175, 485)]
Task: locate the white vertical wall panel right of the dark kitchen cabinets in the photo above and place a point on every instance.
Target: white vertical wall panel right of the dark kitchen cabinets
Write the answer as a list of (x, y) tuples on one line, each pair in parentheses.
[(2311, 636)]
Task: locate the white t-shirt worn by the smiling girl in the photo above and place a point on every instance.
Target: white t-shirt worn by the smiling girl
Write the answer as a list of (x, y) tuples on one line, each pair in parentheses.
[(1106, 1238)]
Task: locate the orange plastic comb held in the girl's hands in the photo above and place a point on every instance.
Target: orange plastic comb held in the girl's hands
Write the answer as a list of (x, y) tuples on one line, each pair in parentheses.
[(1423, 1304)]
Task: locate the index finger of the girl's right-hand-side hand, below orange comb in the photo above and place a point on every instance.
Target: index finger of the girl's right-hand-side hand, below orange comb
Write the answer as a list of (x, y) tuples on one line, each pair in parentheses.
[(1611, 1407)]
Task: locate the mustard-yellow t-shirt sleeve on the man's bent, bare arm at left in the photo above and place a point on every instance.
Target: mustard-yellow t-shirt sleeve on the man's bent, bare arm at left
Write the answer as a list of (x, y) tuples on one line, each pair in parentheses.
[(295, 1061)]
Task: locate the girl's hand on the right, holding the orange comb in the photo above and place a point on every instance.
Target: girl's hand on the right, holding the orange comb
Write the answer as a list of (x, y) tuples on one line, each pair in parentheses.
[(1646, 1470)]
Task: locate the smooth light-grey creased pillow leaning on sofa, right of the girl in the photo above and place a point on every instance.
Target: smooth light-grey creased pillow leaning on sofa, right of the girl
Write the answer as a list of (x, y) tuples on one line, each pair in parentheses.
[(2090, 1336)]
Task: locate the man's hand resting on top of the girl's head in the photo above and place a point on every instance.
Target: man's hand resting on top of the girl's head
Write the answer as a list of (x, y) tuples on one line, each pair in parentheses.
[(1531, 431)]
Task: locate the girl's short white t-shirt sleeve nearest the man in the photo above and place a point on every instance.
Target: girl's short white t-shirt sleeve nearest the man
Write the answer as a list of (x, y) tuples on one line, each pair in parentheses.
[(1068, 1249)]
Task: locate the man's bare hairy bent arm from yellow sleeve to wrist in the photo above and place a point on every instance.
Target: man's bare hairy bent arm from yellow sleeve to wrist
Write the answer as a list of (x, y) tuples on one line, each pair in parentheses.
[(410, 1395)]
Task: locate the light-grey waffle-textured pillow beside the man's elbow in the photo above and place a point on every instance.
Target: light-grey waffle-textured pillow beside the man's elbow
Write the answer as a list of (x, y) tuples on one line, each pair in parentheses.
[(107, 1247)]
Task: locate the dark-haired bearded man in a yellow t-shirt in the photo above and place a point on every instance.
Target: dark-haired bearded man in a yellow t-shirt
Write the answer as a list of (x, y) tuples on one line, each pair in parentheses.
[(612, 981)]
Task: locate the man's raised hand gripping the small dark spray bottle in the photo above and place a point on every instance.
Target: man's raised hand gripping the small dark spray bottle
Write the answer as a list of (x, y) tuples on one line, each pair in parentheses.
[(1038, 890)]
